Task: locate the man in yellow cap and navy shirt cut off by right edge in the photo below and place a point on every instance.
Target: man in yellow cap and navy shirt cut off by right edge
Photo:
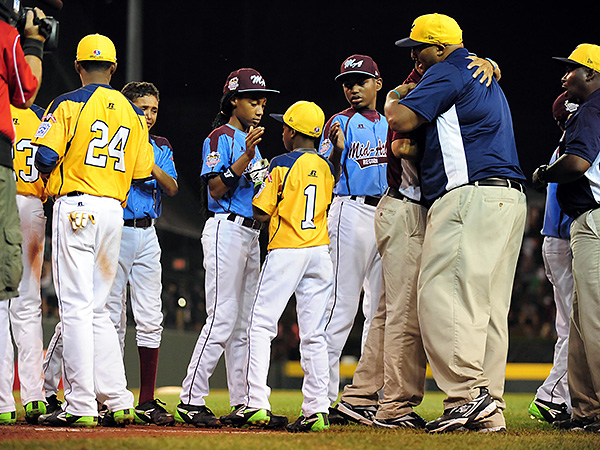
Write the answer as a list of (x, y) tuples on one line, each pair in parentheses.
[(577, 173)]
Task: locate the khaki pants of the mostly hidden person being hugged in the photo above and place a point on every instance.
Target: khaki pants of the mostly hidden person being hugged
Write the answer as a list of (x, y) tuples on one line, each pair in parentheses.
[(393, 356)]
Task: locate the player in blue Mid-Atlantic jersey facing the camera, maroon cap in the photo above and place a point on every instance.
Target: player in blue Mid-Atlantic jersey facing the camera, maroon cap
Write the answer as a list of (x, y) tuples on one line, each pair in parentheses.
[(354, 141)]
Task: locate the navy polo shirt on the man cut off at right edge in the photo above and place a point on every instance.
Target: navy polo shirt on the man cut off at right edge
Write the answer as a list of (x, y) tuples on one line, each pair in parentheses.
[(582, 138)]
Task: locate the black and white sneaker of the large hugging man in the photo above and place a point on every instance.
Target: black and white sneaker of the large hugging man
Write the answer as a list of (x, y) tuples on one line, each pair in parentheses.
[(463, 415)]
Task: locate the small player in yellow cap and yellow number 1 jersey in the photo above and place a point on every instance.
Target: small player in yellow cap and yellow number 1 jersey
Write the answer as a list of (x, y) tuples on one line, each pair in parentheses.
[(294, 198)]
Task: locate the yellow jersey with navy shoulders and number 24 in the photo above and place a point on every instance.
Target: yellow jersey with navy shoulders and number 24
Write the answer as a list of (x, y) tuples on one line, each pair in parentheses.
[(98, 140)]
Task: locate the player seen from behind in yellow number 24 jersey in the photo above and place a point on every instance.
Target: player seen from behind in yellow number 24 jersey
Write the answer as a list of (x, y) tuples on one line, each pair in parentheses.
[(92, 143)]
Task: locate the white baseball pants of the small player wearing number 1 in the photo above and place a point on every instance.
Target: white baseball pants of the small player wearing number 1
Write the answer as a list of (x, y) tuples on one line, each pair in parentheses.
[(308, 273)]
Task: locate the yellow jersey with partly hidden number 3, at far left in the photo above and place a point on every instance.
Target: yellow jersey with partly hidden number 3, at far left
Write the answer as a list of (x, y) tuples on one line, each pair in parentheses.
[(26, 123)]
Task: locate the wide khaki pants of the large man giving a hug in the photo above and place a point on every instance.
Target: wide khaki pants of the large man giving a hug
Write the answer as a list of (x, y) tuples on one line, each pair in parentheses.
[(470, 252)]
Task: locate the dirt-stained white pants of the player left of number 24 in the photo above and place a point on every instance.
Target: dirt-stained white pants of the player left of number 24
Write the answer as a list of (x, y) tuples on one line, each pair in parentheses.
[(26, 310)]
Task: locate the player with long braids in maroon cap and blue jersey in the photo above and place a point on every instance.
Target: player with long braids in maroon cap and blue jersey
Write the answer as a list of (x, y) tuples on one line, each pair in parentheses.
[(230, 245)]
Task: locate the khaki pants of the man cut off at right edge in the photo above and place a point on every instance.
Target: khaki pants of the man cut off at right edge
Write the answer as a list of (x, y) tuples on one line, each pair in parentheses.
[(584, 335)]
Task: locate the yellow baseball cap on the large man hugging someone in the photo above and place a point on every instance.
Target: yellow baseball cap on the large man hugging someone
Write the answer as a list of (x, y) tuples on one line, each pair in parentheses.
[(433, 29)]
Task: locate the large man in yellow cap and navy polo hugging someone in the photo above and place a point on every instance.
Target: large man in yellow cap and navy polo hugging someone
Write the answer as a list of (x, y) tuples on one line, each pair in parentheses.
[(470, 175)]
